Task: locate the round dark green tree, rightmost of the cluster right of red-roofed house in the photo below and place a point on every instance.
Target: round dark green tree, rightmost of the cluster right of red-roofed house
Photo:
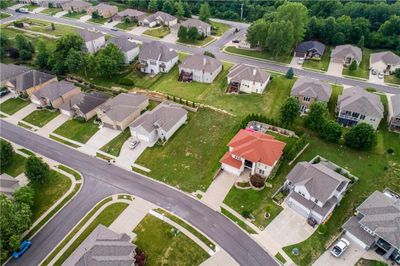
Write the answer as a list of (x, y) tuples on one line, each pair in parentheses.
[(360, 137)]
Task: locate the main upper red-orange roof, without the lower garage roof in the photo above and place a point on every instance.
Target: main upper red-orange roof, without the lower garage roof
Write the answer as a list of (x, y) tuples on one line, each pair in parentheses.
[(256, 146)]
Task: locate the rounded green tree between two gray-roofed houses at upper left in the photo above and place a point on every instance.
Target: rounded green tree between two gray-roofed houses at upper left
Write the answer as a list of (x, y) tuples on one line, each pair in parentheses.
[(109, 60)]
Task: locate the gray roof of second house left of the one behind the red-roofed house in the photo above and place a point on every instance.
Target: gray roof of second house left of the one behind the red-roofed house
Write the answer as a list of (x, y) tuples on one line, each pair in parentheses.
[(156, 51)]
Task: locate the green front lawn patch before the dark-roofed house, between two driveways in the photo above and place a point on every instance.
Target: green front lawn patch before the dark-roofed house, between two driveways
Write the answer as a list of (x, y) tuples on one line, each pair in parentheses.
[(78, 131)]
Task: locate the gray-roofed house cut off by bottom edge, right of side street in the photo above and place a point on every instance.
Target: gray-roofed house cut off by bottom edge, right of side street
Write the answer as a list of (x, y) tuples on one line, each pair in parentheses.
[(104, 247)]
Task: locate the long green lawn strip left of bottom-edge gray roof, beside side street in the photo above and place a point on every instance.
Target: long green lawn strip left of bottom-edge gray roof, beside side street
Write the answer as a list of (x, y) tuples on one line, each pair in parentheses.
[(106, 217)]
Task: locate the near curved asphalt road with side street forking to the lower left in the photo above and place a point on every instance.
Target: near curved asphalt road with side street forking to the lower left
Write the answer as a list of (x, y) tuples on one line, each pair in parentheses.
[(102, 180)]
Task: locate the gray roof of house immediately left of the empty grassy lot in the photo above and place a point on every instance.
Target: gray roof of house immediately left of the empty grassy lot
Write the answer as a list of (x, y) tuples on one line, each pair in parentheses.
[(164, 116)]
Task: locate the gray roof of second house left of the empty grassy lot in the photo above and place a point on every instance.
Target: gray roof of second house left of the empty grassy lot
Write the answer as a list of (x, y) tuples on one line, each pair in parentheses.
[(122, 106)]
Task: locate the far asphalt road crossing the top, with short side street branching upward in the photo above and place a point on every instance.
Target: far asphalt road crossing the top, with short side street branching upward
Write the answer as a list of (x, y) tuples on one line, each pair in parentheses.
[(216, 49)]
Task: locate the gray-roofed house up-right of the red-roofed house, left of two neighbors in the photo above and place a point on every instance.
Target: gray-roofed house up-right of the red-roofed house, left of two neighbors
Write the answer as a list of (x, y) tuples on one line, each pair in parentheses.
[(307, 91)]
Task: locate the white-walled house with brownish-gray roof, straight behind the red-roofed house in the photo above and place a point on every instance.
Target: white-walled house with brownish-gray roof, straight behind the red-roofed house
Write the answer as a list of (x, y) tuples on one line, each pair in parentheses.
[(247, 78)]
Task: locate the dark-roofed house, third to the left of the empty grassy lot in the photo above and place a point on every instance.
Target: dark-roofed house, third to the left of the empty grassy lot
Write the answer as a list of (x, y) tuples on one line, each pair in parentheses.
[(84, 104)]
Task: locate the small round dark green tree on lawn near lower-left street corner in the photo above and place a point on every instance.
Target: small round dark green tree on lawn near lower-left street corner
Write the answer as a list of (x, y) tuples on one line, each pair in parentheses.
[(36, 170)]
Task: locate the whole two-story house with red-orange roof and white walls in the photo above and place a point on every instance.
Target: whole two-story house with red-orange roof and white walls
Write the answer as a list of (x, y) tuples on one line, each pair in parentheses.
[(252, 150)]
